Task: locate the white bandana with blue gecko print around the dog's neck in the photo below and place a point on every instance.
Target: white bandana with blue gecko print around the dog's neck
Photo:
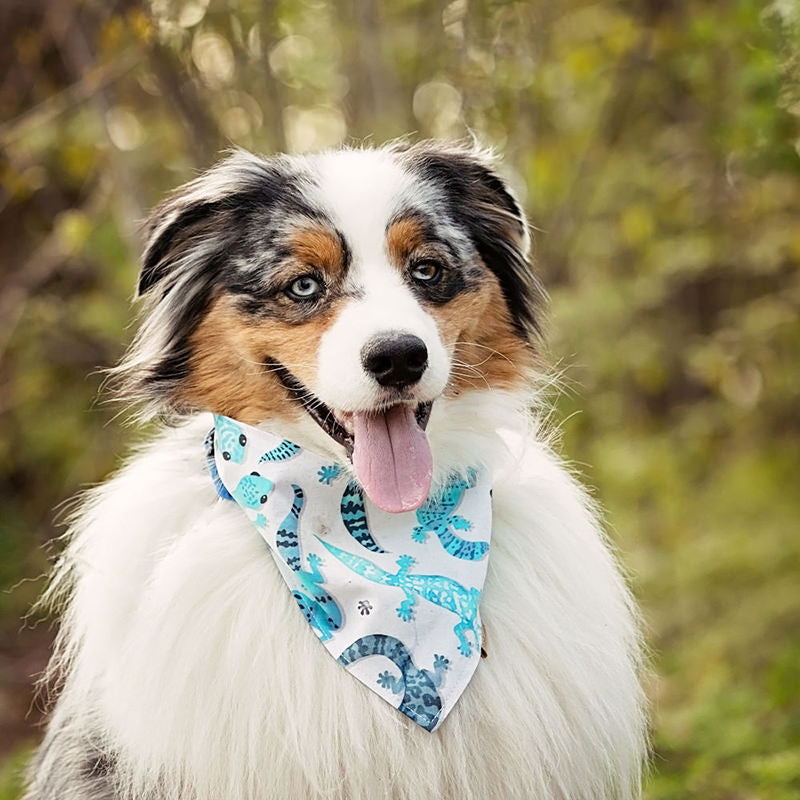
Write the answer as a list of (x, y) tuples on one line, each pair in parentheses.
[(393, 597)]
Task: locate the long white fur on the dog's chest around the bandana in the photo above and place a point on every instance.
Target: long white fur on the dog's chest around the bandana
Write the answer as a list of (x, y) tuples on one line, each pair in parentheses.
[(207, 682)]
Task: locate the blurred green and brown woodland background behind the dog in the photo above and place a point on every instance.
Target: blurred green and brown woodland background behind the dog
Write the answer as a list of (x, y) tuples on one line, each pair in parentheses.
[(655, 147)]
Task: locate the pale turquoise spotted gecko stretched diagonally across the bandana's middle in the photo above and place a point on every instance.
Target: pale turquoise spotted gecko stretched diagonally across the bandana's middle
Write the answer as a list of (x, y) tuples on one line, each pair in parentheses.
[(444, 592)]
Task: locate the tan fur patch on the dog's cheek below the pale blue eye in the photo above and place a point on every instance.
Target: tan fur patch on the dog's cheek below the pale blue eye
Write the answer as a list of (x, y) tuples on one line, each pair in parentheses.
[(227, 370)]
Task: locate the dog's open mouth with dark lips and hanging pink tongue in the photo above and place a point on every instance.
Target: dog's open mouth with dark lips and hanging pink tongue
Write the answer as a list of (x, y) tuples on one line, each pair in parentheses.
[(388, 447)]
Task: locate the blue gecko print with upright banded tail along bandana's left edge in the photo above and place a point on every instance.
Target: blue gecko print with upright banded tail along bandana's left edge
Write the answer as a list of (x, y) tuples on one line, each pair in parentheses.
[(319, 608)]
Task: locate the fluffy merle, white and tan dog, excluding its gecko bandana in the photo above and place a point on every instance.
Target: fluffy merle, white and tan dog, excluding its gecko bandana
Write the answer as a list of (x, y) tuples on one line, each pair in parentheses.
[(314, 295)]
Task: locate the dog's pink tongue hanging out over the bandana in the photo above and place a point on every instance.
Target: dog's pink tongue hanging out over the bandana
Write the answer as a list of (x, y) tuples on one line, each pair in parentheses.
[(392, 459)]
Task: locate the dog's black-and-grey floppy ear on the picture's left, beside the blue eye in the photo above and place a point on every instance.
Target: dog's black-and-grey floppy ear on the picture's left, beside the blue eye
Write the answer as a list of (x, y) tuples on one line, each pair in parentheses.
[(190, 241)]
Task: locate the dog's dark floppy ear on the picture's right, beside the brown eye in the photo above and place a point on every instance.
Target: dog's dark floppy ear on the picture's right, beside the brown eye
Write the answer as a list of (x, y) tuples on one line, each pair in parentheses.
[(480, 199)]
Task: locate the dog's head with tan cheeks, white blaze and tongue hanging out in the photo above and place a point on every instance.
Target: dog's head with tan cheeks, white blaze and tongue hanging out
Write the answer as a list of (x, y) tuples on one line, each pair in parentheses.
[(340, 297)]
